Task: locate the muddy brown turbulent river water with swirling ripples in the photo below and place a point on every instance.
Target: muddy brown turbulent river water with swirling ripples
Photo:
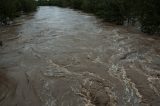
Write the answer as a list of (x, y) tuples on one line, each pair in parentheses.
[(62, 57)]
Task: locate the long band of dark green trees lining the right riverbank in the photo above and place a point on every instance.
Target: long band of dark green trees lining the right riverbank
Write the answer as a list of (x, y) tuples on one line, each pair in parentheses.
[(146, 12)]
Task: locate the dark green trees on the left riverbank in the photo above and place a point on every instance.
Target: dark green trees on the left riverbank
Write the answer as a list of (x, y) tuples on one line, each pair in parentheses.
[(10, 9)]
